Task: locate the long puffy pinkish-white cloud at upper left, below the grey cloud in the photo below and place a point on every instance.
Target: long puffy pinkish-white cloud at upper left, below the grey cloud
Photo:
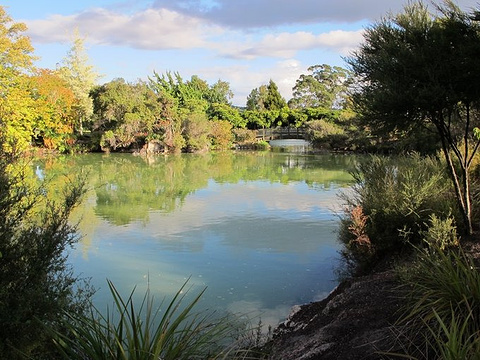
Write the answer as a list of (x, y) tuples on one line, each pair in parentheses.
[(151, 29)]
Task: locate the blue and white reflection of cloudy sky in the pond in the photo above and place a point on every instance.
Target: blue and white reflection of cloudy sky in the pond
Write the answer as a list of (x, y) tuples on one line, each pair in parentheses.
[(257, 246)]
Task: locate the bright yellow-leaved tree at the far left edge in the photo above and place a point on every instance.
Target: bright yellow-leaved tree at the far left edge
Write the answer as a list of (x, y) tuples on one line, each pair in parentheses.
[(16, 104)]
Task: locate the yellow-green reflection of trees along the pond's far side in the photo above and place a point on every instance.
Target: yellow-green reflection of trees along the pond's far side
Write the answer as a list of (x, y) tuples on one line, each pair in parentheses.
[(127, 188)]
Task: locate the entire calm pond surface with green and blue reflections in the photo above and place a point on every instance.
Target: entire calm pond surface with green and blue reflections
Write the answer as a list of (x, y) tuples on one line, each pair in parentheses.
[(257, 229)]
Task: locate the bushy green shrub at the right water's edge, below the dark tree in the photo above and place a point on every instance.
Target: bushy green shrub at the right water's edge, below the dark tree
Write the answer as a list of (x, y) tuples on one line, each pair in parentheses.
[(397, 196)]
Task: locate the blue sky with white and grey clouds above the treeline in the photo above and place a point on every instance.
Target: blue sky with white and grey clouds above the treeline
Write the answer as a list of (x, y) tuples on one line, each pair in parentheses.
[(244, 42)]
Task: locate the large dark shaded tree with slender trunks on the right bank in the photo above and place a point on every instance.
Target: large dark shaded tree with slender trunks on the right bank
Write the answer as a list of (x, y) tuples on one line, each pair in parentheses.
[(415, 68)]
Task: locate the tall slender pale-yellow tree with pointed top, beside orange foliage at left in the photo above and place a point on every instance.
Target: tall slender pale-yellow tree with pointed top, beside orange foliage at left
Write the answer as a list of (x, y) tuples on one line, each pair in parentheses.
[(81, 77)]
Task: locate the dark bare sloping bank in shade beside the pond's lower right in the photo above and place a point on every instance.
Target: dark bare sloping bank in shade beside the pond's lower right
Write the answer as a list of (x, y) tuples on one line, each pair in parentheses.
[(353, 322)]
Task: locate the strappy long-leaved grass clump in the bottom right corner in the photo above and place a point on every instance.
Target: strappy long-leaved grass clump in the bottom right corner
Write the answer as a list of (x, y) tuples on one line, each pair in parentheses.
[(443, 304)]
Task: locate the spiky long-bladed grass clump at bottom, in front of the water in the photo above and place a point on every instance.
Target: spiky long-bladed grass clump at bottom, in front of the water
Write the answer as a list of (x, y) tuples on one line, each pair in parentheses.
[(170, 331)]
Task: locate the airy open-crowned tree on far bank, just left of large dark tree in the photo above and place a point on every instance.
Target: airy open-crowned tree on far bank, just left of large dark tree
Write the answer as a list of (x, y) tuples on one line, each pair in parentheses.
[(326, 87)]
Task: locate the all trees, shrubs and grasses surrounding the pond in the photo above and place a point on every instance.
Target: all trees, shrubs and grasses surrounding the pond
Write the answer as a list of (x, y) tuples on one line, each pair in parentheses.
[(416, 78)]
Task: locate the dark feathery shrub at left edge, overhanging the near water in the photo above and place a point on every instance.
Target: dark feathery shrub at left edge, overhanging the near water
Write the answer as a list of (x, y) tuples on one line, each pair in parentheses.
[(36, 284)]
